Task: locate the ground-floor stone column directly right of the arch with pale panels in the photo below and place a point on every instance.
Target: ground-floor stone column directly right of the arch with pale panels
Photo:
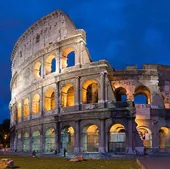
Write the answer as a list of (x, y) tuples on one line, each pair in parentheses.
[(130, 137)]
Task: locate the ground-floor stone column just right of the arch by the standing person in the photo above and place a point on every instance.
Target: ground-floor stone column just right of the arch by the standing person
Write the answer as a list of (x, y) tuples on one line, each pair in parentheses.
[(77, 138)]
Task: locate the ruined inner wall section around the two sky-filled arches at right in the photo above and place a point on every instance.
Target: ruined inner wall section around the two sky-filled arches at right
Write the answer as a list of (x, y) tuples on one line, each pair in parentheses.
[(132, 78)]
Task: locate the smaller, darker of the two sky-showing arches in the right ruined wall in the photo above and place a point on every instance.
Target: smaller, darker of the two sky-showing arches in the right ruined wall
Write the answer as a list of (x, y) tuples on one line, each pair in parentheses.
[(120, 94)]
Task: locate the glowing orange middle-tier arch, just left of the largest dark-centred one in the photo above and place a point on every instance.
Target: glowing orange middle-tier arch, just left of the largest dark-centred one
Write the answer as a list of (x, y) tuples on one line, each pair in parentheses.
[(67, 96)]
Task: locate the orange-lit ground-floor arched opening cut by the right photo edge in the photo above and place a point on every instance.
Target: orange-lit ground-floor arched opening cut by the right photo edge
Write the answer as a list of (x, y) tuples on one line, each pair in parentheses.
[(164, 139)]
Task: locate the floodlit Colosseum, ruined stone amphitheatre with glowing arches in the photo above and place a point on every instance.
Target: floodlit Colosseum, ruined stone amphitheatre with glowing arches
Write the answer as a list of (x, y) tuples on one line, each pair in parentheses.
[(61, 99)]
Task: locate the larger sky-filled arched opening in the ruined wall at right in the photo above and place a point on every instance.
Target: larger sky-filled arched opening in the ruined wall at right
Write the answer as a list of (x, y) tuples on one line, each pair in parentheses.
[(142, 95)]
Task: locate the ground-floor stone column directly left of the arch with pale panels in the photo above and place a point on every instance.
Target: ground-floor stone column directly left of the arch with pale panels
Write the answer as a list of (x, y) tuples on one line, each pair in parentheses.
[(102, 136)]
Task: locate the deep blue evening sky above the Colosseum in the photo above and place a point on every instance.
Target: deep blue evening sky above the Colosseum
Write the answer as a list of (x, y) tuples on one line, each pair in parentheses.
[(125, 32)]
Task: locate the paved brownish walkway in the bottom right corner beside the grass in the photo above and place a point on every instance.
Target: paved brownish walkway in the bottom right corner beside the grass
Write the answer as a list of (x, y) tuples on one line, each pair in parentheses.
[(155, 162)]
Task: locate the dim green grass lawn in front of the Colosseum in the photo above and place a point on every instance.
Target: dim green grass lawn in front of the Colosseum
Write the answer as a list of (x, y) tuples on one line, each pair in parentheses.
[(61, 163)]
